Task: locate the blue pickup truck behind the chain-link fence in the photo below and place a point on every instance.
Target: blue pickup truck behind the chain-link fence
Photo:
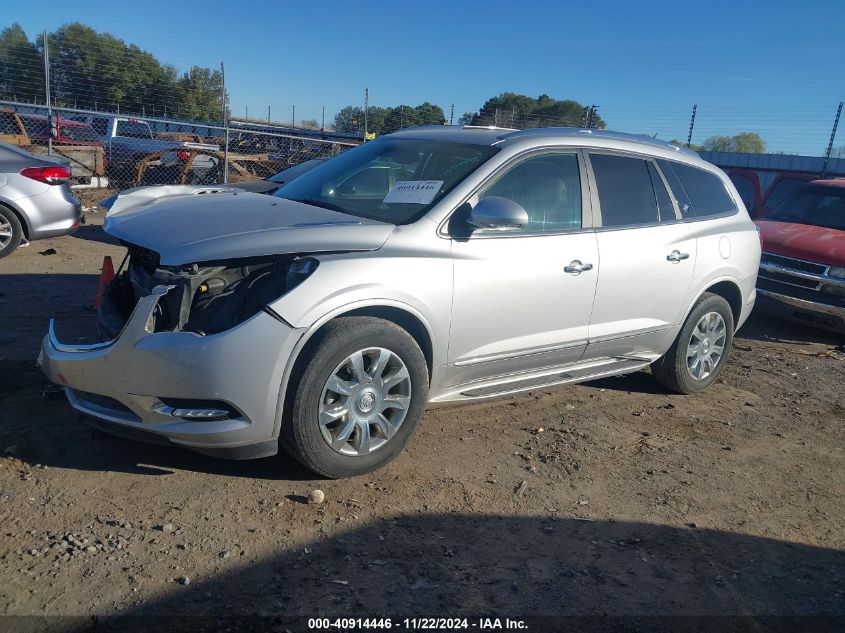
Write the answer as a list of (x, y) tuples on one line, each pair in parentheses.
[(127, 140)]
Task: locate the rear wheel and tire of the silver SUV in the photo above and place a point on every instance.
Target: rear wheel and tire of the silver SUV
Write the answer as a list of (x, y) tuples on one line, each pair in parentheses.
[(673, 371)]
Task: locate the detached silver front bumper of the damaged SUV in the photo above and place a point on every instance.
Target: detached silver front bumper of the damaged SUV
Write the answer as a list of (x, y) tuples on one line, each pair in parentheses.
[(122, 382)]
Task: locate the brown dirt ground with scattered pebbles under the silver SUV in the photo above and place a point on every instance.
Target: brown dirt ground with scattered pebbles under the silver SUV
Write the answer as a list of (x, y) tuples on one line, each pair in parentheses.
[(608, 498)]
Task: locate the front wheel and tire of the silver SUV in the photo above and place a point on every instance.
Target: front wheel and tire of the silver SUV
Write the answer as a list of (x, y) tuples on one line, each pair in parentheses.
[(307, 438)]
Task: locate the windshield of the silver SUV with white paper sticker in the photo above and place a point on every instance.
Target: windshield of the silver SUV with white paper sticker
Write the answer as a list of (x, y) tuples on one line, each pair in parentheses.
[(390, 180)]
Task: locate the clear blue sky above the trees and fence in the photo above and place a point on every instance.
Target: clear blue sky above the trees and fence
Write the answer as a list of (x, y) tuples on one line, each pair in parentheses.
[(758, 66)]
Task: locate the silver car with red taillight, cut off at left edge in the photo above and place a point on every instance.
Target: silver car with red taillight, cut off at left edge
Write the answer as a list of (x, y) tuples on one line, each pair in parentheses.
[(35, 199)]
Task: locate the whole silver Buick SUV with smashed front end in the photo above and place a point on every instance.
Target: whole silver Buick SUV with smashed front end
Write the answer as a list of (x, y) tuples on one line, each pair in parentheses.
[(432, 266)]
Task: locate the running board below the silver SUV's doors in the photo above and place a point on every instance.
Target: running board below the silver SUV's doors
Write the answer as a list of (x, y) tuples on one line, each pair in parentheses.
[(508, 385)]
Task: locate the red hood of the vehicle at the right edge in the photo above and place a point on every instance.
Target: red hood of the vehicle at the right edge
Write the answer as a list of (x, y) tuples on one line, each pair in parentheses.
[(804, 241)]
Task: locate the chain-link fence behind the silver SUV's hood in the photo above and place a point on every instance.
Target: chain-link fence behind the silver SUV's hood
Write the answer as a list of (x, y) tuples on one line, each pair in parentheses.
[(116, 151)]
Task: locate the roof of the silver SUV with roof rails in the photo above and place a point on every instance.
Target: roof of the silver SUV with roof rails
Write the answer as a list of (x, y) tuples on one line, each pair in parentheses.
[(500, 136)]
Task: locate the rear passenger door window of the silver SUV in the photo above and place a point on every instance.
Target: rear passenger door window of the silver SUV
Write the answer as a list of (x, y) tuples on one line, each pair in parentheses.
[(626, 194)]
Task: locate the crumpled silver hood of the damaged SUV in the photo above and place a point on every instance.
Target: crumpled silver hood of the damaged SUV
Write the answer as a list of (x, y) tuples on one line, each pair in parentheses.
[(186, 224)]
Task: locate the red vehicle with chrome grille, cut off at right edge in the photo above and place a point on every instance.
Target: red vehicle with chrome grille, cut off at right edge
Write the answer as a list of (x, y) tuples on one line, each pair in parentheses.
[(802, 269)]
